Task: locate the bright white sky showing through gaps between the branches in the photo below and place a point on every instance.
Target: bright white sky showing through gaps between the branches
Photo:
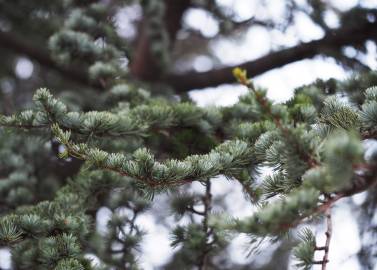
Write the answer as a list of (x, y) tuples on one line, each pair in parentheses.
[(280, 83)]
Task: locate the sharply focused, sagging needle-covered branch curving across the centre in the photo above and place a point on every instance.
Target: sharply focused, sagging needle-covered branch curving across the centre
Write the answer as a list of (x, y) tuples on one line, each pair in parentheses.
[(155, 174)]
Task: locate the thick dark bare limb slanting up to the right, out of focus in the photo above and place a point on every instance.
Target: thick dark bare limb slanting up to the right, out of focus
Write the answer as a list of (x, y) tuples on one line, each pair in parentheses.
[(333, 40)]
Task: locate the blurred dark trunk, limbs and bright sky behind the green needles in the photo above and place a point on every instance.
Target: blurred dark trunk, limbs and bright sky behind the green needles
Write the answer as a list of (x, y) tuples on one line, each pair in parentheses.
[(283, 44)]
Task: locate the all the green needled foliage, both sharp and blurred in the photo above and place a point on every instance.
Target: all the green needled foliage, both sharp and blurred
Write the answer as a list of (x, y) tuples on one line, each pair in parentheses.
[(136, 142)]
